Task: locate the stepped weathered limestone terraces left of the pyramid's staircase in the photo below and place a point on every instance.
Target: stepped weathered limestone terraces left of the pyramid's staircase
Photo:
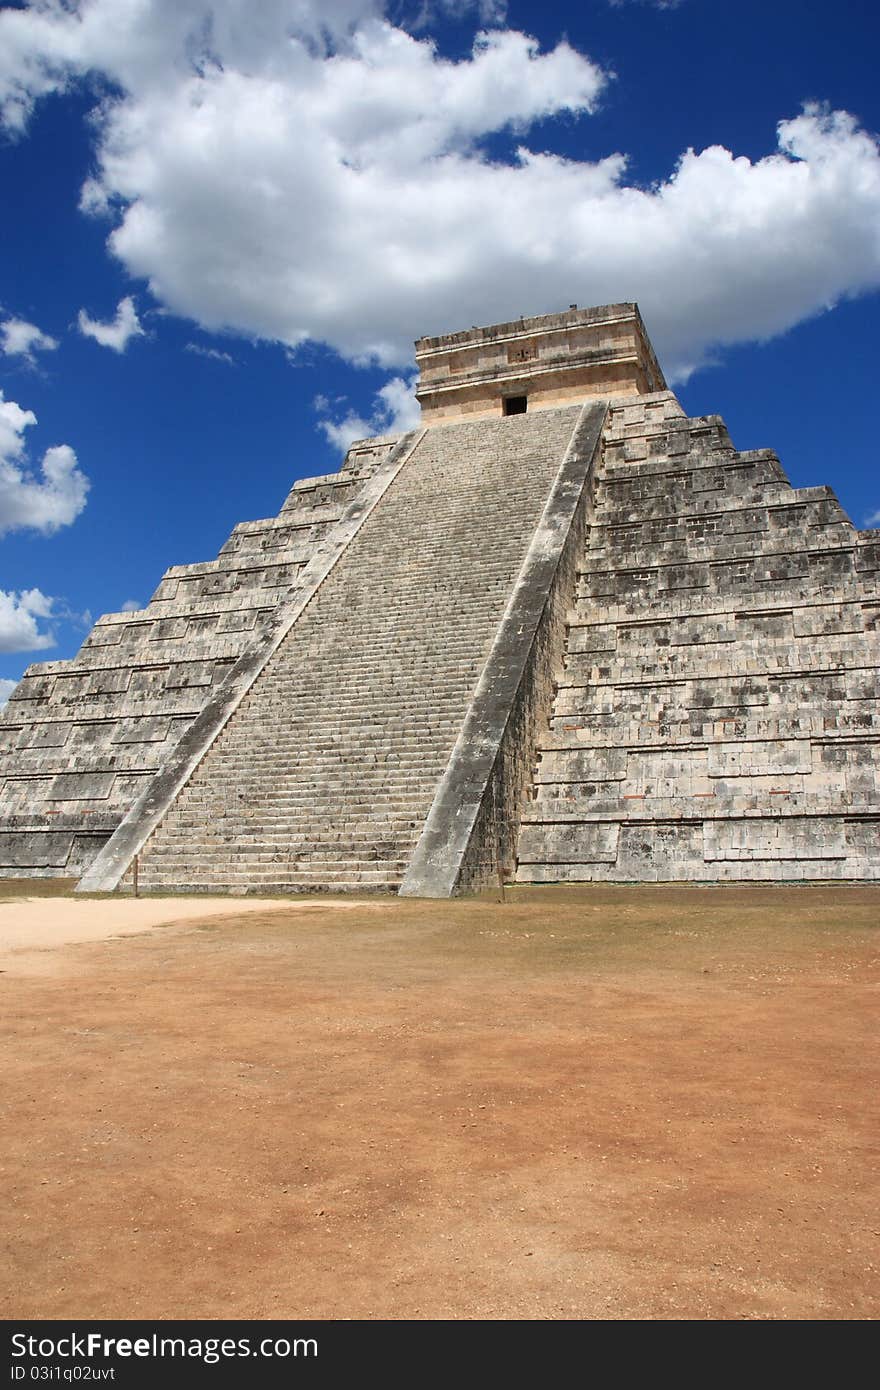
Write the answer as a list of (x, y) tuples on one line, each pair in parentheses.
[(81, 739)]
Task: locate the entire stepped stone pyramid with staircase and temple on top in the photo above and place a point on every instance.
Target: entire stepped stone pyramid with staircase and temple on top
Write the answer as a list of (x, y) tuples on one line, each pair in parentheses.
[(558, 633)]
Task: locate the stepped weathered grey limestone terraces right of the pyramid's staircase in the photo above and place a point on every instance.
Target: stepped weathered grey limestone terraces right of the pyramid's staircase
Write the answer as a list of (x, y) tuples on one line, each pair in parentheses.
[(719, 712)]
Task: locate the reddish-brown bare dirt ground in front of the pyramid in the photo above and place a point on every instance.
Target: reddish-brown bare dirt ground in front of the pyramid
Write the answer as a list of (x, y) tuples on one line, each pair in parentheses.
[(593, 1103)]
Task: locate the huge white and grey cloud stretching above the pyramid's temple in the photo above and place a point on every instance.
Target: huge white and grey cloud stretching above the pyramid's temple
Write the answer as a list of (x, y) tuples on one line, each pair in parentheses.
[(288, 179)]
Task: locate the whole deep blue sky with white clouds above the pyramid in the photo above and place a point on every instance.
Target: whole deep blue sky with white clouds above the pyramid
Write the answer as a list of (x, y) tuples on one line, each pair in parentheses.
[(226, 224)]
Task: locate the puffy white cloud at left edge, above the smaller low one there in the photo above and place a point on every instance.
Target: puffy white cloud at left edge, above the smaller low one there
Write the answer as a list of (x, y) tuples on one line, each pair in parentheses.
[(45, 504)]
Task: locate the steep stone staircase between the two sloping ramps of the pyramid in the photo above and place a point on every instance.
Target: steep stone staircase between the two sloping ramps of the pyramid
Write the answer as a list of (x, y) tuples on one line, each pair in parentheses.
[(325, 775)]
